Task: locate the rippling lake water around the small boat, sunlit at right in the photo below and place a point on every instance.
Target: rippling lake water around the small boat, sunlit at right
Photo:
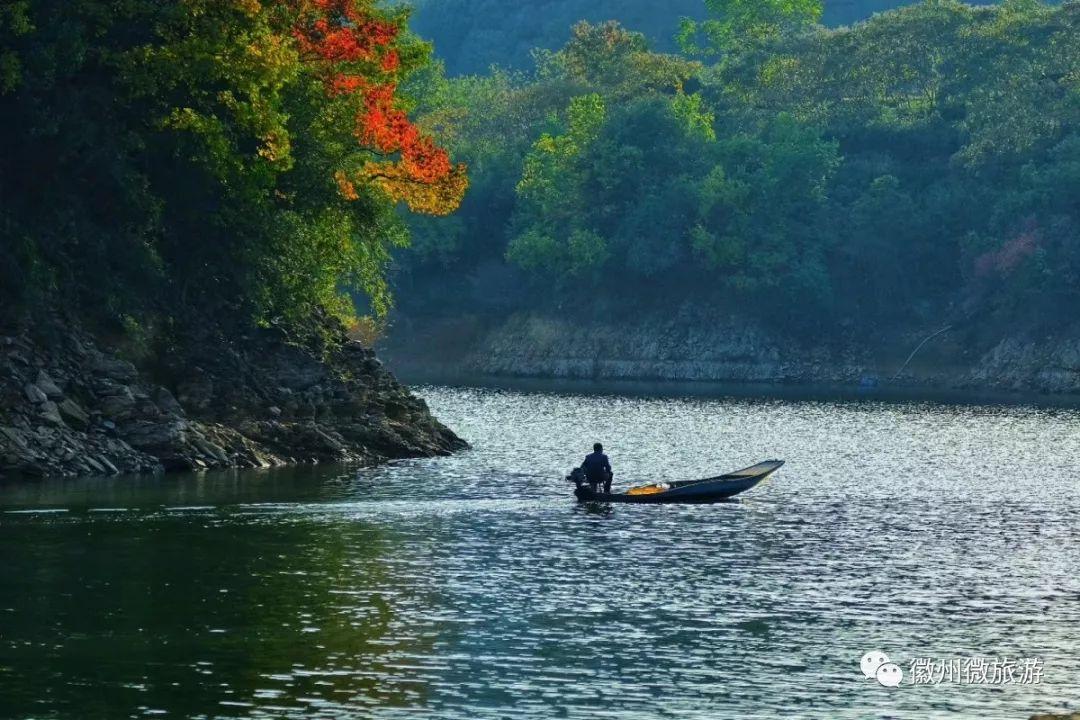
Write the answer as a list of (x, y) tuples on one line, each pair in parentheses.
[(474, 588)]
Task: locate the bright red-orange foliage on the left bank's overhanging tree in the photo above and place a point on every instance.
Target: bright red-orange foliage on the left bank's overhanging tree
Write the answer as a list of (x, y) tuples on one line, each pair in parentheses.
[(353, 46)]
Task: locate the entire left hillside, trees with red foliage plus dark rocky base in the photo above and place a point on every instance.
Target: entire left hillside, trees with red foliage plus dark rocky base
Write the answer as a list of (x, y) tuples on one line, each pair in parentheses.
[(188, 189)]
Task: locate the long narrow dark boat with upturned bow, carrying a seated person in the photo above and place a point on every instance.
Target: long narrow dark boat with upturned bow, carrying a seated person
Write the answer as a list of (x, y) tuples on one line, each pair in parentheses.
[(708, 491)]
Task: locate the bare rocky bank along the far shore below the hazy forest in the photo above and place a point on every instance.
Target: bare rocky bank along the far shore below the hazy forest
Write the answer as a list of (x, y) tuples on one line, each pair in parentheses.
[(699, 345)]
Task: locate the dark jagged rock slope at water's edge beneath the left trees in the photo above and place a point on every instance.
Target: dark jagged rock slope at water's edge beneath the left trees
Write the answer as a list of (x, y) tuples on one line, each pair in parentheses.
[(72, 406)]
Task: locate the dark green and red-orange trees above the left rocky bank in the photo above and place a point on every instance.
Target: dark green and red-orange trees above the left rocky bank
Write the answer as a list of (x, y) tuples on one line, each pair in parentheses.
[(226, 159)]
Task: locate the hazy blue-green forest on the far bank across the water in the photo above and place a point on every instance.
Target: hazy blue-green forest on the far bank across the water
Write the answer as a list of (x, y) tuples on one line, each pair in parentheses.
[(919, 168)]
